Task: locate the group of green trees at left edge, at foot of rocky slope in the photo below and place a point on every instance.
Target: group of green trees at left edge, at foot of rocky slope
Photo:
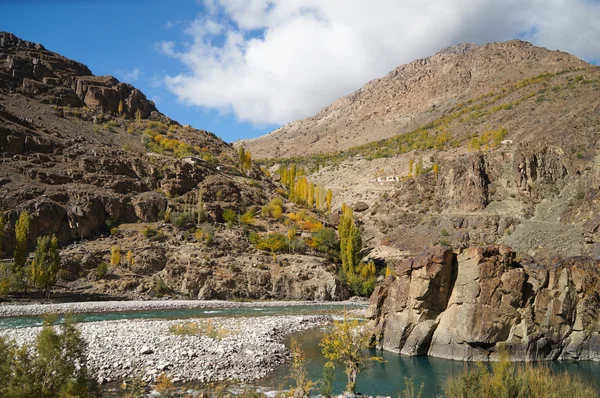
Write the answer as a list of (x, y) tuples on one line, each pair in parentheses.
[(29, 274)]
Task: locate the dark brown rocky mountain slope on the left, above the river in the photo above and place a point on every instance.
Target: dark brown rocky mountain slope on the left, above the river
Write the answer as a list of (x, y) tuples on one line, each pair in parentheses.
[(96, 164)]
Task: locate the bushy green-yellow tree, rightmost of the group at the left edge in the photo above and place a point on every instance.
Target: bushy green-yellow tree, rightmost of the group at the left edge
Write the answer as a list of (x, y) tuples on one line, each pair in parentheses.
[(45, 264)]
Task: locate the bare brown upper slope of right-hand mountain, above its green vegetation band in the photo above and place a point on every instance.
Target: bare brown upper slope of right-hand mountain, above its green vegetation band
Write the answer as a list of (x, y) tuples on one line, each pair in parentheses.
[(412, 95)]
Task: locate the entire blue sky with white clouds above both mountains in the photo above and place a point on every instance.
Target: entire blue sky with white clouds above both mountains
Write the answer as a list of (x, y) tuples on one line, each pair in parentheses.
[(242, 68)]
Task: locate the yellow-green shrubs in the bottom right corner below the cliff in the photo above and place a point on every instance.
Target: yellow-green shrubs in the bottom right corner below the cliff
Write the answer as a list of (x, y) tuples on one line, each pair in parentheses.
[(507, 380)]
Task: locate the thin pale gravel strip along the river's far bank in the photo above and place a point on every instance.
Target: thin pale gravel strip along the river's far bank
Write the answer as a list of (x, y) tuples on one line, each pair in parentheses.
[(36, 309)]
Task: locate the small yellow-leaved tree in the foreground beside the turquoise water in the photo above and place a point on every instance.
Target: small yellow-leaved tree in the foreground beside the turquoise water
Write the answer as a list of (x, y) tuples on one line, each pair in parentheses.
[(346, 344)]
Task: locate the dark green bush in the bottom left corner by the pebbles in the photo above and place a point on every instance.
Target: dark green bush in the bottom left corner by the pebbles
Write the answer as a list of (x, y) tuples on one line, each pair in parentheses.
[(58, 370)]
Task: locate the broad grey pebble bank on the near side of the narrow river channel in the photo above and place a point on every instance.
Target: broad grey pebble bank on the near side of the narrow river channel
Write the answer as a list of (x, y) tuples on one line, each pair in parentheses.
[(218, 349)]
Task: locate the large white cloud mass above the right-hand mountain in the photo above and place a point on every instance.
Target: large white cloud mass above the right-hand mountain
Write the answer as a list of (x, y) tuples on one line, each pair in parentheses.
[(273, 61)]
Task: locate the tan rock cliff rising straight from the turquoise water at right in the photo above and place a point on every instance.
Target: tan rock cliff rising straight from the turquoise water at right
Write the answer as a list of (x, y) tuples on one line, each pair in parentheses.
[(482, 302)]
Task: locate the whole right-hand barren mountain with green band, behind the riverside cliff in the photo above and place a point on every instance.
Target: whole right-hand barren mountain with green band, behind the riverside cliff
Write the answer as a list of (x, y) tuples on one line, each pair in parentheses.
[(498, 144)]
